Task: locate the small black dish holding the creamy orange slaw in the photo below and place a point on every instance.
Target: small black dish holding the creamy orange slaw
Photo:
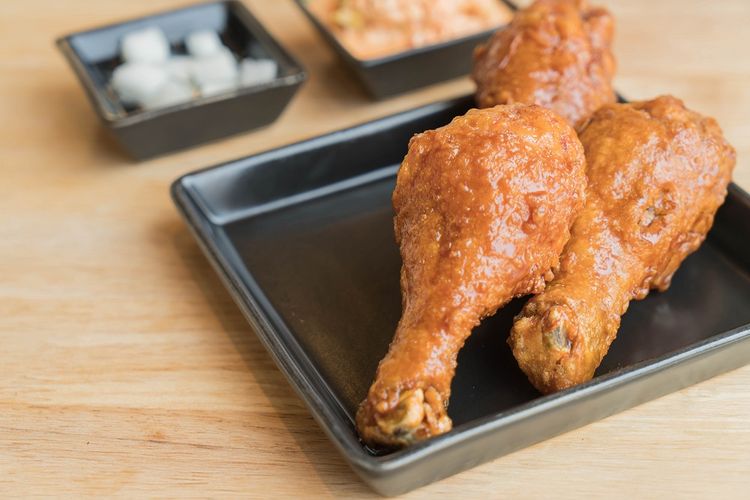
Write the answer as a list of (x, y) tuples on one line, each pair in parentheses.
[(395, 74)]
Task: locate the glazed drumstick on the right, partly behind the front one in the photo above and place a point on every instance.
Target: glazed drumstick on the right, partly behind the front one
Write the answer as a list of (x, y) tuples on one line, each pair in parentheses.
[(657, 174)]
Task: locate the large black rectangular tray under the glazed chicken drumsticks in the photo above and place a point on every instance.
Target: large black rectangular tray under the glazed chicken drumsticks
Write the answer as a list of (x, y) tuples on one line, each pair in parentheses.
[(303, 239)]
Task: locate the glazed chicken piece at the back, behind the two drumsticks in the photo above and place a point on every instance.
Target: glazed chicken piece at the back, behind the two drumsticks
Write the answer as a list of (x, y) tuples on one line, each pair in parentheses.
[(555, 53)]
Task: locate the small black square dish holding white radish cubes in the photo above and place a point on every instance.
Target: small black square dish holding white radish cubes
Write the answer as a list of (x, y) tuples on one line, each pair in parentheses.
[(94, 55)]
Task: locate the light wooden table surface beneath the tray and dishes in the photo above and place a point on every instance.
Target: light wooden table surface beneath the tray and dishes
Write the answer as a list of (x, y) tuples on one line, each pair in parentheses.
[(126, 368)]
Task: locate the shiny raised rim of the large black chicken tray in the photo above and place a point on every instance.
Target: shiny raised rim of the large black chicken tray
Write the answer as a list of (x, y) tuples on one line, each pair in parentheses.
[(370, 466)]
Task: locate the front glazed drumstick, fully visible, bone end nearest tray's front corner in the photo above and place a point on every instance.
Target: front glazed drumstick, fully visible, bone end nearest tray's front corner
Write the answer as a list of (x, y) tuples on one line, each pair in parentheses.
[(483, 209)]
